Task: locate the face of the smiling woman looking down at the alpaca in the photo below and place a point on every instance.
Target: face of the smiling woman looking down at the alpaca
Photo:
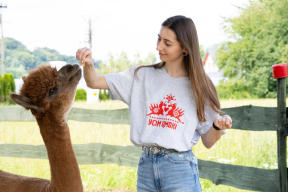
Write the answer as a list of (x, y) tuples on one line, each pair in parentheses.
[(169, 48)]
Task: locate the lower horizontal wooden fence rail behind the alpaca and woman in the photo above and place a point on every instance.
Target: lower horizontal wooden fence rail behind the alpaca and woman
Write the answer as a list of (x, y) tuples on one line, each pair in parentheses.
[(241, 177)]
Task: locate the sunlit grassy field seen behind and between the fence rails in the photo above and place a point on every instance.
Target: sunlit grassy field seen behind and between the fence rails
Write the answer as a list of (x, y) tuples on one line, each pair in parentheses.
[(247, 148)]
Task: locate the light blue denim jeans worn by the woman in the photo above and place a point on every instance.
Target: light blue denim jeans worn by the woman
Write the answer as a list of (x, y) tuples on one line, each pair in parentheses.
[(168, 172)]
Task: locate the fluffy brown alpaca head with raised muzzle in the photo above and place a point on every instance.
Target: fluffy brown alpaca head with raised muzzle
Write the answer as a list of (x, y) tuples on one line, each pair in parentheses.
[(47, 92)]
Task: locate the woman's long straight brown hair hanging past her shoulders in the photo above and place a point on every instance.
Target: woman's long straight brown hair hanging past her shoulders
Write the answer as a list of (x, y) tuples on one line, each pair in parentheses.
[(203, 88)]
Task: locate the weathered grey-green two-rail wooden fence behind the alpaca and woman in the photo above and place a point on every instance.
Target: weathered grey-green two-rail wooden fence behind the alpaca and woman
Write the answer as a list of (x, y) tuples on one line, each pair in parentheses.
[(249, 118)]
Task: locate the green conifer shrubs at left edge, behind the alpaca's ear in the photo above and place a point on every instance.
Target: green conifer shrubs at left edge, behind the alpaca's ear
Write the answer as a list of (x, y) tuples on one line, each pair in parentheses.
[(7, 85)]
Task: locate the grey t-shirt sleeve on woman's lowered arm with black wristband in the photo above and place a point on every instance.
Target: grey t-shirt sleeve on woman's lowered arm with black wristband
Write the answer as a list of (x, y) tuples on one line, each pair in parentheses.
[(204, 127)]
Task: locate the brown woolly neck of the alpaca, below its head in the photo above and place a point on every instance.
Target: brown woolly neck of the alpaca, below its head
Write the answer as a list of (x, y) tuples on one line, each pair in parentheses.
[(65, 174)]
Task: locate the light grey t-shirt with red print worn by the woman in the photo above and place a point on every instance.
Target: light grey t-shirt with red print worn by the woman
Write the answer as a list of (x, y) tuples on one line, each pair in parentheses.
[(162, 108)]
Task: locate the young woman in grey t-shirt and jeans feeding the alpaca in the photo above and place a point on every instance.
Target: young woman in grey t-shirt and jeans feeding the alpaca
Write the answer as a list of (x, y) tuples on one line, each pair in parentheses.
[(171, 104)]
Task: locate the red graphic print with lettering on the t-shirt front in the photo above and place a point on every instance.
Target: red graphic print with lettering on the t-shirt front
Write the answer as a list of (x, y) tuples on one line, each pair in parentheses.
[(165, 114)]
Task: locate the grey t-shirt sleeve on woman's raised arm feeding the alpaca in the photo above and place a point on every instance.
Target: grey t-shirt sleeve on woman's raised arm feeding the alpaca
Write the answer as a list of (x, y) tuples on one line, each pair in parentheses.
[(120, 85)]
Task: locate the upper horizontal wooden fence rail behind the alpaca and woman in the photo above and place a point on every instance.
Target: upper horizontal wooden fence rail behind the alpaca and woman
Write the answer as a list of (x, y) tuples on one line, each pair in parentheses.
[(249, 117)]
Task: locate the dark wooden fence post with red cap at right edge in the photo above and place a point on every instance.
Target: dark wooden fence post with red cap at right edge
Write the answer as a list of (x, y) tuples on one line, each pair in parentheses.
[(280, 72)]
